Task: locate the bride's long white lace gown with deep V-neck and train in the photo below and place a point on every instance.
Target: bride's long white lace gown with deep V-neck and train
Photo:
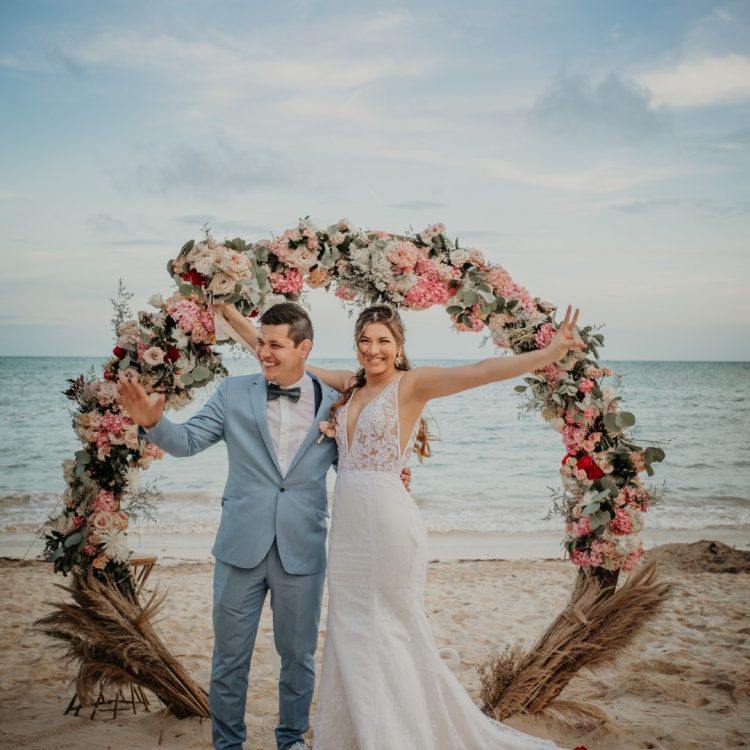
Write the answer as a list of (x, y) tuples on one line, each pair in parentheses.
[(383, 685)]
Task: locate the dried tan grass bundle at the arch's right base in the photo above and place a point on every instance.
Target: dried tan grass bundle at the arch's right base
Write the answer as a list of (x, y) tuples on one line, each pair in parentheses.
[(593, 631)]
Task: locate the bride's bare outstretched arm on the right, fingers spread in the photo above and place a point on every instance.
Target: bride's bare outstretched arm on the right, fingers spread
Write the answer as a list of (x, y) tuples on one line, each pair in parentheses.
[(433, 382)]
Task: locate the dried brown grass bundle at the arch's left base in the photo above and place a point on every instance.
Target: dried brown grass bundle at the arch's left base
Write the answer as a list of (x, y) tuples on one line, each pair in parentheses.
[(109, 636)]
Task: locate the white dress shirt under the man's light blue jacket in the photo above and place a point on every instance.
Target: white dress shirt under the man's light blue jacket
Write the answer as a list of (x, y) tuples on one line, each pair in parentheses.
[(289, 422)]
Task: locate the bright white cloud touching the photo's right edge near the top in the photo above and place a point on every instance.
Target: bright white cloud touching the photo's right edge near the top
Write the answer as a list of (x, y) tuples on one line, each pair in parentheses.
[(702, 82)]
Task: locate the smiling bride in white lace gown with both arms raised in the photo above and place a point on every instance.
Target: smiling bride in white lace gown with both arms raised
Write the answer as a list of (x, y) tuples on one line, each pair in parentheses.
[(383, 685)]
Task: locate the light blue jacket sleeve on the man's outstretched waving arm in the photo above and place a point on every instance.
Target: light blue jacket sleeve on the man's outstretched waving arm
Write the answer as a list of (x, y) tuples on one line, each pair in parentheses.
[(198, 433)]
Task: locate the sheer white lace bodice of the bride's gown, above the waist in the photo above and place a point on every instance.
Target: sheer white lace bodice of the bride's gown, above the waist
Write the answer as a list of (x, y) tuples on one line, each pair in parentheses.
[(376, 440)]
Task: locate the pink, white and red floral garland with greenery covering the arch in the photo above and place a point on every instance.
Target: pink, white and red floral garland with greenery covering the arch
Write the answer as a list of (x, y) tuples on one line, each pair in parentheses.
[(170, 351)]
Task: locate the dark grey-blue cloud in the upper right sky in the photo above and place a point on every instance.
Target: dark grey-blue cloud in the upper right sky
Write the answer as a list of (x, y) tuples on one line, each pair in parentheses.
[(573, 103)]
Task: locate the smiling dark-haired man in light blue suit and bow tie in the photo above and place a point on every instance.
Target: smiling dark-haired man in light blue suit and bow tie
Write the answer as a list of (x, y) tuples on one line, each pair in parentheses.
[(273, 520)]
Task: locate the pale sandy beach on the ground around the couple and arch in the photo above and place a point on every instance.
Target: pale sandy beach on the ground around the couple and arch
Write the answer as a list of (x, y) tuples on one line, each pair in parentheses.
[(685, 686)]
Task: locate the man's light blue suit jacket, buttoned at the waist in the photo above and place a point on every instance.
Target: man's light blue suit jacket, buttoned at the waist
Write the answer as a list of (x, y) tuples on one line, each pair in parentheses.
[(258, 503)]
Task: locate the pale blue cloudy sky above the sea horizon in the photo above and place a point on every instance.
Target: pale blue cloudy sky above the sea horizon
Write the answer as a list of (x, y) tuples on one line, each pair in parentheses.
[(599, 151)]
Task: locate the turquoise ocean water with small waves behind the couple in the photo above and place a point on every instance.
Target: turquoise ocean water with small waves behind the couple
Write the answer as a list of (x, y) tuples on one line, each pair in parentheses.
[(492, 467)]
